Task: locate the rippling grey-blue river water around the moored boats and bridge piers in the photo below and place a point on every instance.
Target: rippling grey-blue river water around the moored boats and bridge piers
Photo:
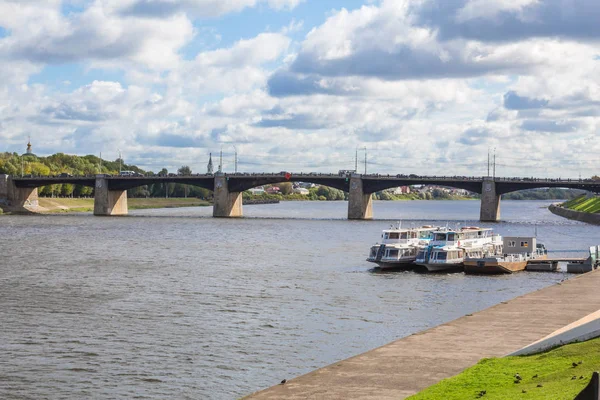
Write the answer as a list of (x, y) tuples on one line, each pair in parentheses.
[(173, 304)]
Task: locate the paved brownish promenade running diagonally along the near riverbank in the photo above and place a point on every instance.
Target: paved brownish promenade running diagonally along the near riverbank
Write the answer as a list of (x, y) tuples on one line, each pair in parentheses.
[(406, 366)]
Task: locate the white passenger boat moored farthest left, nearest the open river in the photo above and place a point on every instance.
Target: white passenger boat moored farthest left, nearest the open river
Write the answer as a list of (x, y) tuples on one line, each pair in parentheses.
[(399, 246)]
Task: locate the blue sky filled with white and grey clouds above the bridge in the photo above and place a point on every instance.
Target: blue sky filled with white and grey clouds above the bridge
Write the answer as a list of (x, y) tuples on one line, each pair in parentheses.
[(415, 86)]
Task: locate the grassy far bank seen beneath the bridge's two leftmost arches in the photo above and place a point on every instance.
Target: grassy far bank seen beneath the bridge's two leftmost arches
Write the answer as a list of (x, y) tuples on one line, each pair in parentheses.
[(53, 205)]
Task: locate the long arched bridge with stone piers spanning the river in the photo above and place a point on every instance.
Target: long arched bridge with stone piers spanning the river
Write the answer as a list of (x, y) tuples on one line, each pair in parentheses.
[(19, 194)]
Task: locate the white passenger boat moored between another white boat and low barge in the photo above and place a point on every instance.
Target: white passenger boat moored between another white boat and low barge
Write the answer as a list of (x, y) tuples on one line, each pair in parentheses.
[(448, 248)]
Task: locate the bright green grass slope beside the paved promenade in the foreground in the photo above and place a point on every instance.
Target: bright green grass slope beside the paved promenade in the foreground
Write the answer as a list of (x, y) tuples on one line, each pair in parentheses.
[(553, 368)]
